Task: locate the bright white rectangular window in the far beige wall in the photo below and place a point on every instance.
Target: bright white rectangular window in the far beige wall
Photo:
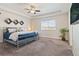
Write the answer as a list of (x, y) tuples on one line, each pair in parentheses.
[(48, 25)]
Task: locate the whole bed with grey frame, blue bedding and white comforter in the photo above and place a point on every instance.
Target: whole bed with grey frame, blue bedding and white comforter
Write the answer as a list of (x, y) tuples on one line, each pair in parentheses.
[(19, 37)]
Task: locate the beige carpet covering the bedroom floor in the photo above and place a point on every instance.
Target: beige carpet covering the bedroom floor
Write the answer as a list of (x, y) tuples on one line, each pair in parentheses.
[(41, 47)]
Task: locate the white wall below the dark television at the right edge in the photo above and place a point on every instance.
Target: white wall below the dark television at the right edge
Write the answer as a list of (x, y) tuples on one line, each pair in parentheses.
[(75, 40)]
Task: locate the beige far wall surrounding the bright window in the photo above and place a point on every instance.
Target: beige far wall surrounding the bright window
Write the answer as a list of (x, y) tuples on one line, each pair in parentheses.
[(61, 20)]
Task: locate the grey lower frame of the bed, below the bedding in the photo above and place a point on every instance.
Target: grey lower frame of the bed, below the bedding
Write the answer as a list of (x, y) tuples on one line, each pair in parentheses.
[(21, 41)]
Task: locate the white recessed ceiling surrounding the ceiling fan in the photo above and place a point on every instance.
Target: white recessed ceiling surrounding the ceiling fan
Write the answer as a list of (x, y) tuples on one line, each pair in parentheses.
[(45, 8)]
